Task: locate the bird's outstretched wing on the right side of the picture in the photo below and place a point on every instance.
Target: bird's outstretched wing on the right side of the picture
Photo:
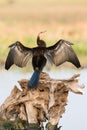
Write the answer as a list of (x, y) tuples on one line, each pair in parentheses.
[(62, 52)]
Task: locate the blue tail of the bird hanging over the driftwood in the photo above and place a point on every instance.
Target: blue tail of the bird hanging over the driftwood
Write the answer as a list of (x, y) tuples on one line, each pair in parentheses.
[(33, 83)]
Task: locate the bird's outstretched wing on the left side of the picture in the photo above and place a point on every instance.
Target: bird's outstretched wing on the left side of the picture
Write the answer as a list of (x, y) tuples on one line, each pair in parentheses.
[(18, 55)]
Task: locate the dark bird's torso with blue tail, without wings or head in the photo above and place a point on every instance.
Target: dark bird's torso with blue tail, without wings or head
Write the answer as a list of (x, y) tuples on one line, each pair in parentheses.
[(38, 63)]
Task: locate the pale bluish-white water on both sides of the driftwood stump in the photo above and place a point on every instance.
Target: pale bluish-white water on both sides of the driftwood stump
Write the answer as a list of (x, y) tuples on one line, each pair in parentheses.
[(75, 117)]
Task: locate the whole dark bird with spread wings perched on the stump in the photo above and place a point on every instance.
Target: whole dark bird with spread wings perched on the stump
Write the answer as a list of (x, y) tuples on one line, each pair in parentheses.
[(57, 54)]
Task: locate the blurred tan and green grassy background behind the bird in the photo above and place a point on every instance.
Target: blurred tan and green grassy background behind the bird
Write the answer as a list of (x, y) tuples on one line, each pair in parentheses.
[(23, 20)]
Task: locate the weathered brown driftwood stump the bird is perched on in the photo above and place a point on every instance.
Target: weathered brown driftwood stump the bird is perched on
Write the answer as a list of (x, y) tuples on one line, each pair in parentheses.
[(48, 101)]
